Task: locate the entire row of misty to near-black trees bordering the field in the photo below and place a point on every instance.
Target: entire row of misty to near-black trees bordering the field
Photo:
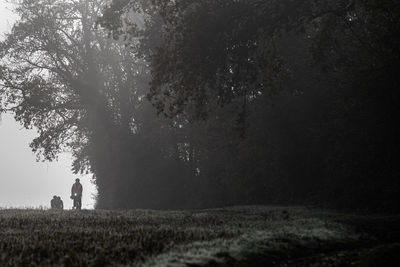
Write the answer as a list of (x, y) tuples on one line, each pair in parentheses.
[(191, 104)]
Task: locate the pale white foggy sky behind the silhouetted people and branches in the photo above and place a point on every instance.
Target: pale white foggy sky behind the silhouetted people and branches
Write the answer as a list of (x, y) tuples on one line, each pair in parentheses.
[(23, 181)]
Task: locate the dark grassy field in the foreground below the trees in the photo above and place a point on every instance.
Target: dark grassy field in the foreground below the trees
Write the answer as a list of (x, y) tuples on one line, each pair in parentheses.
[(237, 236)]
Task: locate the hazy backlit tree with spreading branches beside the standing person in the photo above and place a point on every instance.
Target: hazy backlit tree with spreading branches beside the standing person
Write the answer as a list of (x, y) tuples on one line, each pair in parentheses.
[(81, 90)]
